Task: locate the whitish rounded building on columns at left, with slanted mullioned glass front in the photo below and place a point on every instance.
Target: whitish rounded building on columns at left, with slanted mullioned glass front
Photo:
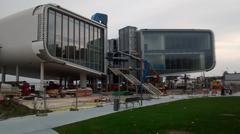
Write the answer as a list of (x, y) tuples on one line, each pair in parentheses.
[(54, 42)]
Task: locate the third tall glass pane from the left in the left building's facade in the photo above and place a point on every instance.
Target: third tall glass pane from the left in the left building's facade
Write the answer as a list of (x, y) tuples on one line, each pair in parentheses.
[(65, 38)]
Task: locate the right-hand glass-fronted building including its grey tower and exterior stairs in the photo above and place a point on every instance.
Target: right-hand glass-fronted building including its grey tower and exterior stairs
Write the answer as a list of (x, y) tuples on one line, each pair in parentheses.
[(140, 57)]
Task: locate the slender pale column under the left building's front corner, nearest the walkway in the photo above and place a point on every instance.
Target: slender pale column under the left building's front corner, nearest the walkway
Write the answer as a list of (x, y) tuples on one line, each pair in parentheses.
[(42, 84)]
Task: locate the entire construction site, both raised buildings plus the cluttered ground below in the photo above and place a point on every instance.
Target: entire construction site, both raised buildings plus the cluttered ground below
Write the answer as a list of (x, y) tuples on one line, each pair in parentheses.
[(79, 67)]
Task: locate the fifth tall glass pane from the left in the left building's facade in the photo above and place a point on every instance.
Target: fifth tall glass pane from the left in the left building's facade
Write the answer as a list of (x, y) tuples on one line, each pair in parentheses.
[(76, 43)]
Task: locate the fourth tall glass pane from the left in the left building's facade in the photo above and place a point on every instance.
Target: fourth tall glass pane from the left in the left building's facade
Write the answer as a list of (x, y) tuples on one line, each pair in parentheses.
[(71, 47)]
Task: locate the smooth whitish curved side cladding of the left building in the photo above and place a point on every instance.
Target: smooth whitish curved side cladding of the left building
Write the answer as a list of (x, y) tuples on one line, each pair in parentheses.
[(16, 35)]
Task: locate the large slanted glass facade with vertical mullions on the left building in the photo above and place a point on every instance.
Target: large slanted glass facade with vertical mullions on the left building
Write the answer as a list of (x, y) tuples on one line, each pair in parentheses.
[(75, 40)]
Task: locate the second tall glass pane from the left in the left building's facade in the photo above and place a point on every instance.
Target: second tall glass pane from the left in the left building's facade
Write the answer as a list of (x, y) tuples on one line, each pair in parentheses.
[(59, 35)]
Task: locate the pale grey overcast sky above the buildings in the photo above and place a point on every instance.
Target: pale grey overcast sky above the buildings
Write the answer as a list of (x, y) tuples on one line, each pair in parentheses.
[(221, 16)]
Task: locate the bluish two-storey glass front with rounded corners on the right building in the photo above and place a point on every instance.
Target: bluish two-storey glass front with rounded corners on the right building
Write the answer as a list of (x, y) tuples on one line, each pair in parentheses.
[(178, 51)]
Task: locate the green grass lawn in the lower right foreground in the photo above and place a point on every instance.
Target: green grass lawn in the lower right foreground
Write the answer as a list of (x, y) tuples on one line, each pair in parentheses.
[(219, 115)]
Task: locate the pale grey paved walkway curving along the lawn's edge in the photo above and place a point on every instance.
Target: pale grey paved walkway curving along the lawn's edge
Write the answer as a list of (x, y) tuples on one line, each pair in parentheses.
[(43, 125)]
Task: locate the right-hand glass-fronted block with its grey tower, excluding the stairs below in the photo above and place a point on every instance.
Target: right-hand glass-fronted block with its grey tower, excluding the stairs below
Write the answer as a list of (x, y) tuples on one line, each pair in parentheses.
[(168, 51)]
